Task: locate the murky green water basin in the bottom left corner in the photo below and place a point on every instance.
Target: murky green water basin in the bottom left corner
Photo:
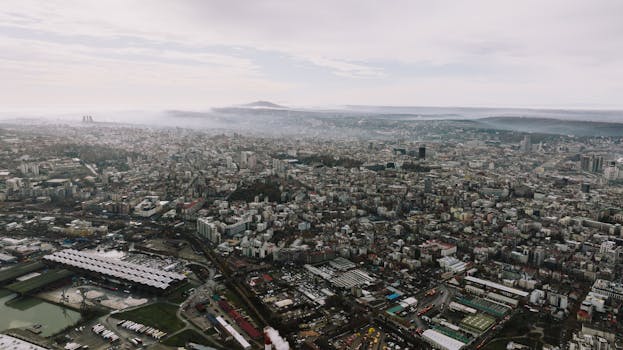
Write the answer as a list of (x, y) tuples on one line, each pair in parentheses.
[(27, 311)]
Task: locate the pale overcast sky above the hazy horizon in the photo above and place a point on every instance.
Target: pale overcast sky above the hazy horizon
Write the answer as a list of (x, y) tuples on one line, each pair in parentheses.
[(195, 54)]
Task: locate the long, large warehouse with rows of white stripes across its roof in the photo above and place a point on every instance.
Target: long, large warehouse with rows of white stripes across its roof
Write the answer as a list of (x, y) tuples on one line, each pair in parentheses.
[(116, 270)]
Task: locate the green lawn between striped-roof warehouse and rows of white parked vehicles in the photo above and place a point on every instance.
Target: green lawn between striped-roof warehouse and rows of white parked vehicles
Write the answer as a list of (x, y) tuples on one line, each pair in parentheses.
[(160, 315)]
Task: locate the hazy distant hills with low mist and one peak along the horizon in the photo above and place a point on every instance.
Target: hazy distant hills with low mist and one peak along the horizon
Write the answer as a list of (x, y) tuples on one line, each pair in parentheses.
[(379, 121)]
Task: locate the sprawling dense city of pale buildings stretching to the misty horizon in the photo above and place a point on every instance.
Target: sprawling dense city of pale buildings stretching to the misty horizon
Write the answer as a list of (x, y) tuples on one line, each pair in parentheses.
[(437, 233)]
